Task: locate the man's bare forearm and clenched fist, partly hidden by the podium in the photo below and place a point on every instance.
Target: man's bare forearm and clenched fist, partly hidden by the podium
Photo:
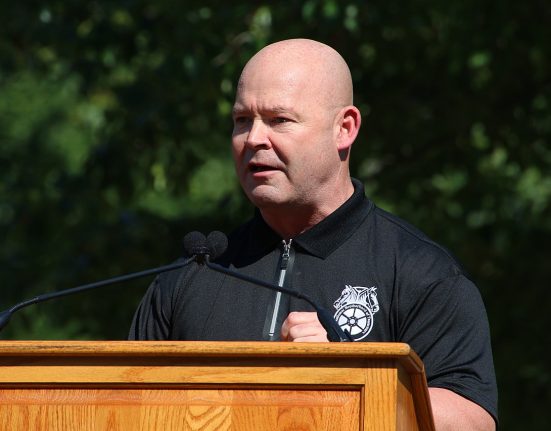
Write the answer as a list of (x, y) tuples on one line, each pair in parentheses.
[(451, 411)]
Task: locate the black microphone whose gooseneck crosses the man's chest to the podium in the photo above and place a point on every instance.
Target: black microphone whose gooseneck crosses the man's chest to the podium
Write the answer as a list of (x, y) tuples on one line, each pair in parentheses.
[(217, 242)]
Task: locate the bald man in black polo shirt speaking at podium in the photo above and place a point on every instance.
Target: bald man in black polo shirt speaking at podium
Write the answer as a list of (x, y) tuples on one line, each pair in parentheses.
[(315, 231)]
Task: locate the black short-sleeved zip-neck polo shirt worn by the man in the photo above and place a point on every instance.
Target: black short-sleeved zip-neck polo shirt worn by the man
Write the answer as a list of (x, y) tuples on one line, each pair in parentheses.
[(381, 278)]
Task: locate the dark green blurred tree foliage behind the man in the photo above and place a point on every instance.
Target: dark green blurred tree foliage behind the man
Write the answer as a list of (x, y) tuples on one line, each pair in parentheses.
[(115, 141)]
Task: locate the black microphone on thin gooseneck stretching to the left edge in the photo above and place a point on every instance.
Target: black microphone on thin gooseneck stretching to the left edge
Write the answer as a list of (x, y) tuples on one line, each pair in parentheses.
[(194, 241)]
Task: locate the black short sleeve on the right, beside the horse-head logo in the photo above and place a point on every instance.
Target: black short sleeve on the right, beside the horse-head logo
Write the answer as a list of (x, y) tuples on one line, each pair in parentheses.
[(447, 326)]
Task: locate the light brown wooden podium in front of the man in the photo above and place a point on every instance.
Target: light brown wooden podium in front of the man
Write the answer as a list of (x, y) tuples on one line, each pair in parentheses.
[(124, 385)]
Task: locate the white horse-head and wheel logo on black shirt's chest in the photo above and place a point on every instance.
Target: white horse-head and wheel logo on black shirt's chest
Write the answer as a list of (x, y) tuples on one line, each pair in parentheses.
[(355, 309)]
